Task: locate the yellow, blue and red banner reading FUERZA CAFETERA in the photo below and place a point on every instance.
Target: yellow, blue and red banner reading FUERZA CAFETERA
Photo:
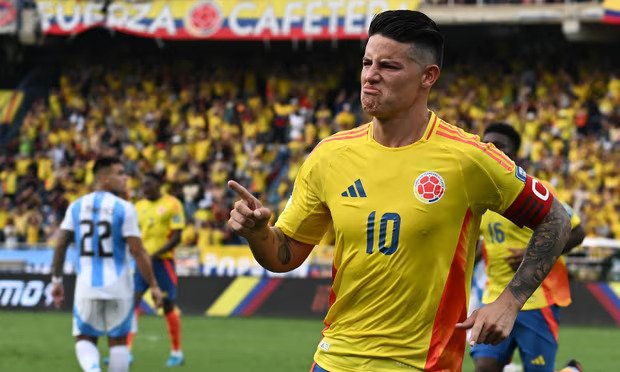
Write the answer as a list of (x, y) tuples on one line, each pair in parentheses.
[(219, 19)]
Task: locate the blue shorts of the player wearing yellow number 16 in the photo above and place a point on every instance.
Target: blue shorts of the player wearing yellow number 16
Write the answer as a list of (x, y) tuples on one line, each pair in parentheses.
[(535, 333)]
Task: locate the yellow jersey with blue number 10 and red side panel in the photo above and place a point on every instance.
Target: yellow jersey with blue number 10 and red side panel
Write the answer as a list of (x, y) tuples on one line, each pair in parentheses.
[(406, 222)]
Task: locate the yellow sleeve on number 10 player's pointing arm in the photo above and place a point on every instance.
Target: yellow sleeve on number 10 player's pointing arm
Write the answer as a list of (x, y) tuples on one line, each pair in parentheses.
[(306, 217)]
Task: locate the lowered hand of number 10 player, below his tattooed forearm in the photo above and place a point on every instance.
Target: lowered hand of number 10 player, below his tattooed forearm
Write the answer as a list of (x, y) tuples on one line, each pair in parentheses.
[(492, 323)]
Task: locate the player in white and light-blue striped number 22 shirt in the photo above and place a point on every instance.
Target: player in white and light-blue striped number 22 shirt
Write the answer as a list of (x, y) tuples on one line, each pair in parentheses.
[(104, 228)]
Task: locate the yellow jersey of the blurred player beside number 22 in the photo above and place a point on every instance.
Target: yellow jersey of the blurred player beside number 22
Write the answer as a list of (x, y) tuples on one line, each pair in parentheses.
[(157, 220)]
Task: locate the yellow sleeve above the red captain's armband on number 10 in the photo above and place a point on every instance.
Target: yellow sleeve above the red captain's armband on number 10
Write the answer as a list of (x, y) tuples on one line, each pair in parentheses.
[(493, 181)]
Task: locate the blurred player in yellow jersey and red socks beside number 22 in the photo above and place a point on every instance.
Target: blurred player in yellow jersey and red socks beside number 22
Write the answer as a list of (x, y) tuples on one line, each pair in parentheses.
[(161, 219)]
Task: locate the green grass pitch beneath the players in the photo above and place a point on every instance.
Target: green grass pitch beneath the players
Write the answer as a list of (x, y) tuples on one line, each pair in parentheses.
[(42, 342)]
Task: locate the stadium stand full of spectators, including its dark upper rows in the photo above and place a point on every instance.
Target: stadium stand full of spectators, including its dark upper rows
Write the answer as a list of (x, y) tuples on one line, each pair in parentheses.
[(201, 116)]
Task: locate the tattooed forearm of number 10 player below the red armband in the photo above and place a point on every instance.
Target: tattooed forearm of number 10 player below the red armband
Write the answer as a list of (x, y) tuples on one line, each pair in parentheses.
[(544, 248)]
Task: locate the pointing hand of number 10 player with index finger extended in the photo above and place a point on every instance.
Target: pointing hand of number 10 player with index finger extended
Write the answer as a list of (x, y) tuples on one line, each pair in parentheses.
[(248, 215)]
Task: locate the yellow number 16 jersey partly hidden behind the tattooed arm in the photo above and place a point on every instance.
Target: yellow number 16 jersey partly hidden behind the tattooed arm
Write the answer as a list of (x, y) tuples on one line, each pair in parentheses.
[(500, 234)]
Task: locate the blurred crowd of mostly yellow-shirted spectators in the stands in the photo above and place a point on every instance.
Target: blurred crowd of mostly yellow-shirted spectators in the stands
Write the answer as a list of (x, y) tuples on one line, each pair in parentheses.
[(198, 127)]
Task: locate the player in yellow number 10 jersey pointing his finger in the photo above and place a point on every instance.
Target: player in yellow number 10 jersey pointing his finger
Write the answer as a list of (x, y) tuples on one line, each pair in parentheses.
[(405, 194)]
